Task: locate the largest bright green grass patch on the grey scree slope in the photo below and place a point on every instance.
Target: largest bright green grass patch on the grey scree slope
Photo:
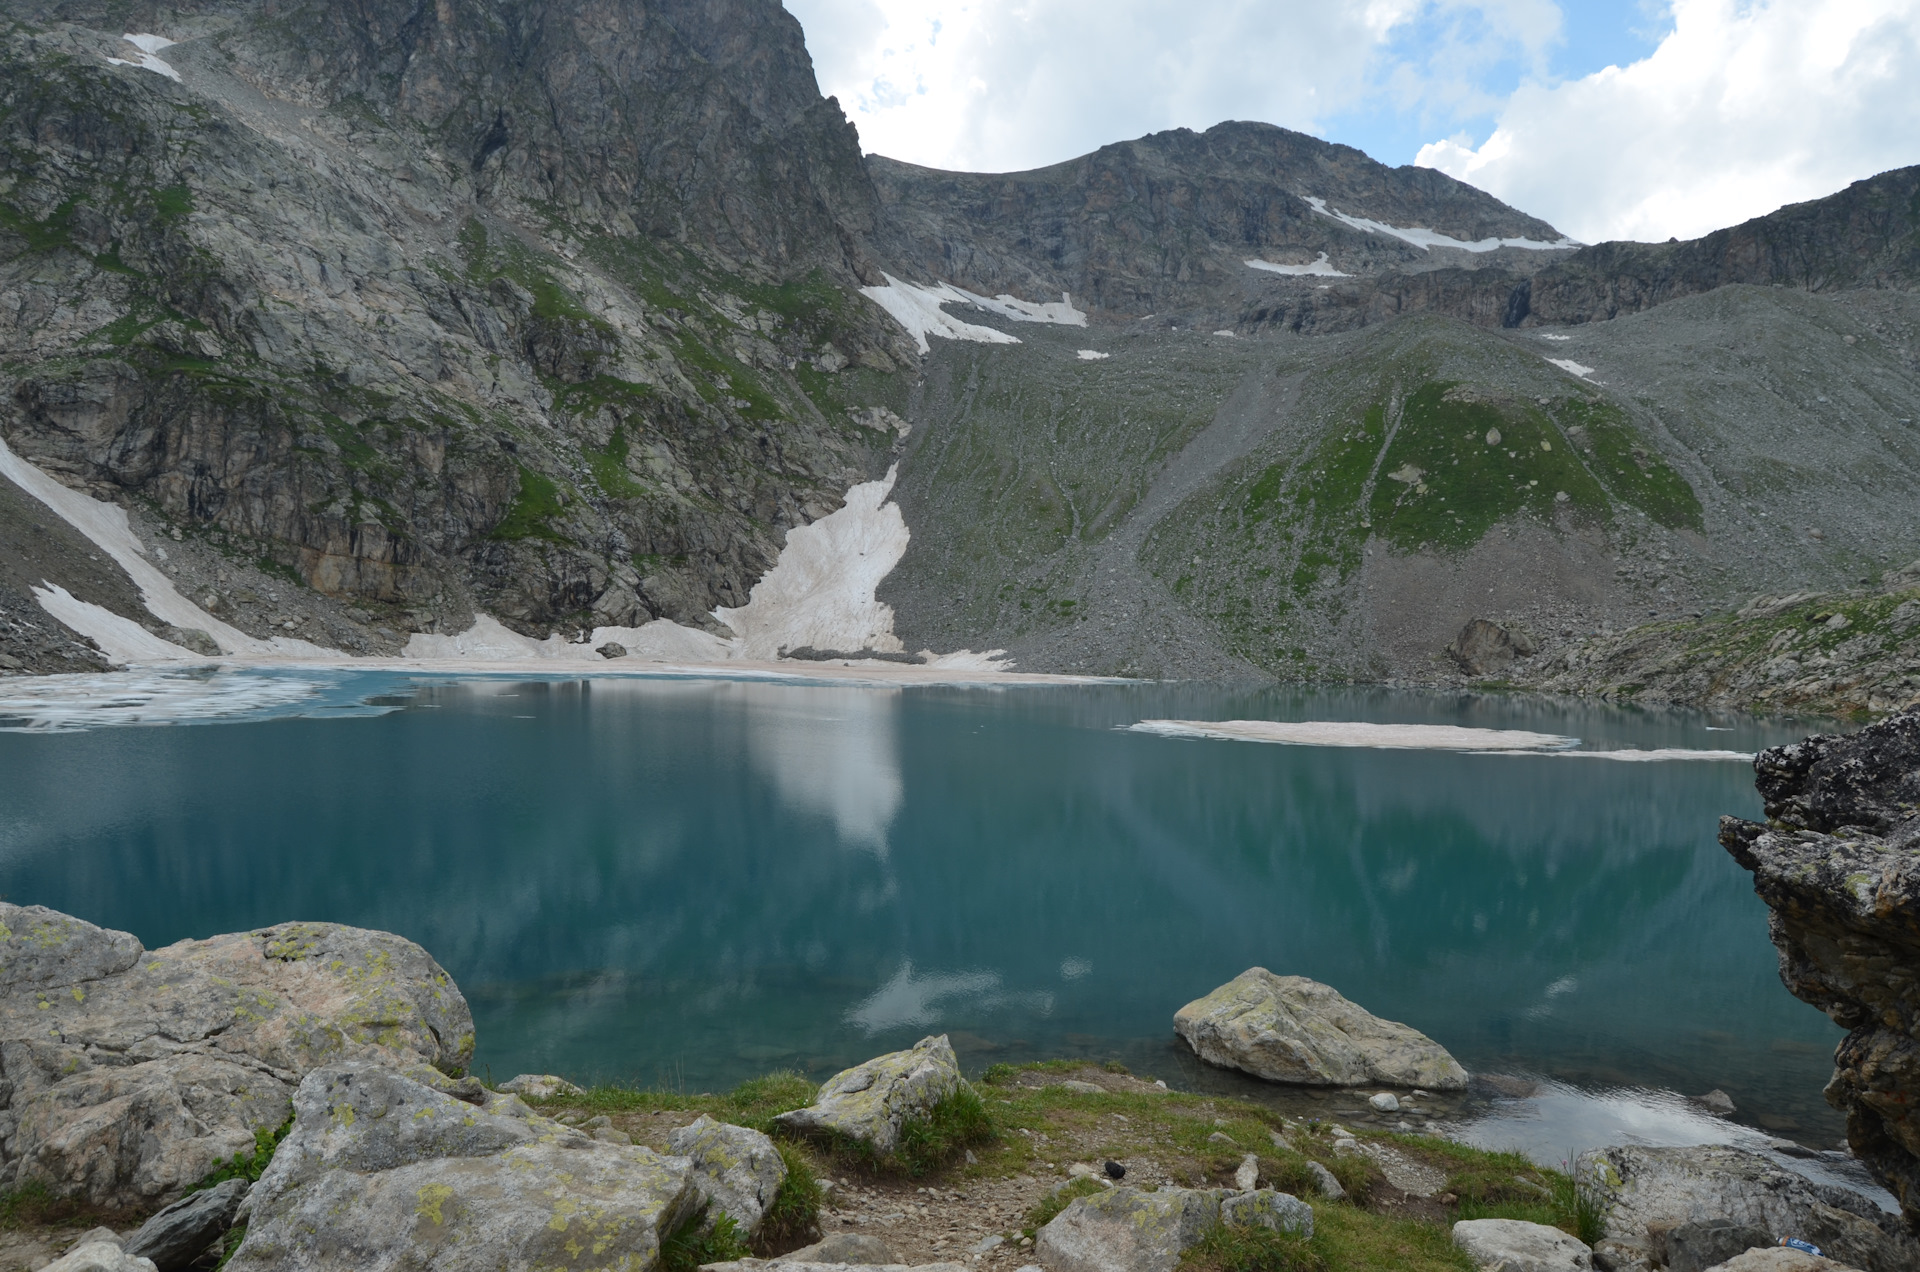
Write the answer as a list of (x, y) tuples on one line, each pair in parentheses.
[(1460, 466)]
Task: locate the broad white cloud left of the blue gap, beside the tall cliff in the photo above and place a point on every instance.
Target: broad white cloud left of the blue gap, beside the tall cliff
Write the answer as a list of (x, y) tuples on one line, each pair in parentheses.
[(1003, 86)]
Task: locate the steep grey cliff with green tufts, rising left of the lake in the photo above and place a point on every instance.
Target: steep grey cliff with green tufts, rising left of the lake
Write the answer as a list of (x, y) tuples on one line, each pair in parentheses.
[(527, 308)]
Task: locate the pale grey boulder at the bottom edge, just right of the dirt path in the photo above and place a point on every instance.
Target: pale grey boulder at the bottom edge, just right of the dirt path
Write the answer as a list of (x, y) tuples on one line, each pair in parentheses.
[(1128, 1231)]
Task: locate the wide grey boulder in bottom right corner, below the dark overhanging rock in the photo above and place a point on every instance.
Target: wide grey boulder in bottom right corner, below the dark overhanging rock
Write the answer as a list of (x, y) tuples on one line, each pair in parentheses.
[(1656, 1190)]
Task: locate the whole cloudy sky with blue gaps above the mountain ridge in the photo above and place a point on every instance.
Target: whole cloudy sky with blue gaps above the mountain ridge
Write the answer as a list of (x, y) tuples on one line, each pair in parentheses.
[(1631, 120)]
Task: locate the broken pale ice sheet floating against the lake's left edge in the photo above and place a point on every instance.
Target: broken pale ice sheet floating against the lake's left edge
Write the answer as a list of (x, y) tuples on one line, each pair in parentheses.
[(156, 697)]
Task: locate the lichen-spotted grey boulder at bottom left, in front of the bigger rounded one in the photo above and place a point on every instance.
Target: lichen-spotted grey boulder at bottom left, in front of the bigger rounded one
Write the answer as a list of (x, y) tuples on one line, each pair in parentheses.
[(383, 1173)]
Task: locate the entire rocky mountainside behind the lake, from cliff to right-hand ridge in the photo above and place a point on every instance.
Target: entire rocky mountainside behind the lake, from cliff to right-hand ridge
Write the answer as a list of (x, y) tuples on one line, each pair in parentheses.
[(379, 318)]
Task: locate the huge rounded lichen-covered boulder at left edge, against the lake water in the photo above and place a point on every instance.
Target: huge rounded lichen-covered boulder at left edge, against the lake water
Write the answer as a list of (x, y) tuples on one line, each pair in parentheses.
[(128, 1075)]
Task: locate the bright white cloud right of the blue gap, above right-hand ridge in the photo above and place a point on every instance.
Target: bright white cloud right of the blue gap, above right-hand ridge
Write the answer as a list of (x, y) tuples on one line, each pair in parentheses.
[(1742, 109)]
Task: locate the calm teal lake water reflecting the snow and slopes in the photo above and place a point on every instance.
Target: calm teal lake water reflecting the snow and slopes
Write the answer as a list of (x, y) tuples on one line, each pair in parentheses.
[(688, 883)]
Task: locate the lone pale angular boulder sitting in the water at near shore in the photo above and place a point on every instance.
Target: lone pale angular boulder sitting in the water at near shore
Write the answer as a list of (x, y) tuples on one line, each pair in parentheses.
[(1291, 1029)]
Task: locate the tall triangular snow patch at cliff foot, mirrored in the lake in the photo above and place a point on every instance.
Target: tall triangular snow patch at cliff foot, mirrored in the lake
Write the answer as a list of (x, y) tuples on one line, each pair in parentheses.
[(821, 591)]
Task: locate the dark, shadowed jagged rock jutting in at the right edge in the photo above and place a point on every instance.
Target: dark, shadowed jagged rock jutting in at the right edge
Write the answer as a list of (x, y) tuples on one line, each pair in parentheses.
[(1840, 869)]
